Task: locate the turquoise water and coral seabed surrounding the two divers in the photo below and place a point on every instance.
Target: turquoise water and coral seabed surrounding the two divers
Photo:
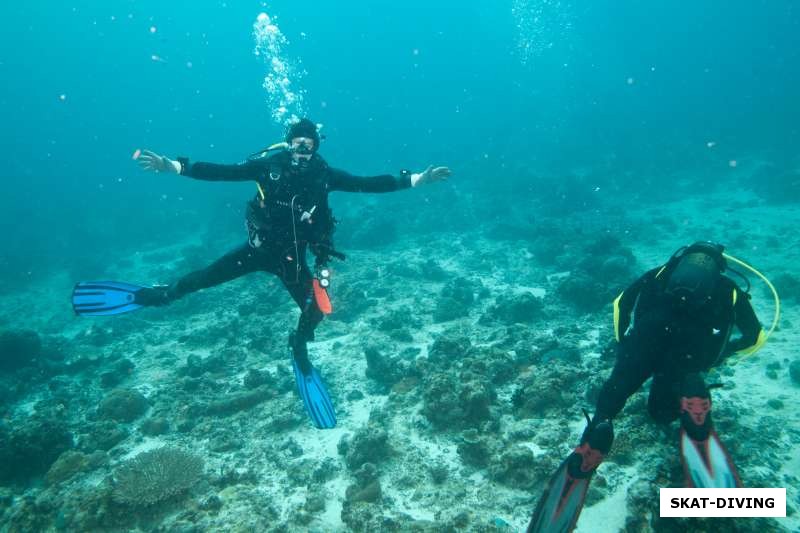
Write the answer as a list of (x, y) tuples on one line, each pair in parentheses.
[(588, 141)]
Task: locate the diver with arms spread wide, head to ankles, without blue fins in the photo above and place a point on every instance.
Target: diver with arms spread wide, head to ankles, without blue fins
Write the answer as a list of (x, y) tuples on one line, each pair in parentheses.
[(288, 214)]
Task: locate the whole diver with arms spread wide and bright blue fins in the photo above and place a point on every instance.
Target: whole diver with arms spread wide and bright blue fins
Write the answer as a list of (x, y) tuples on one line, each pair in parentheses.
[(288, 214)]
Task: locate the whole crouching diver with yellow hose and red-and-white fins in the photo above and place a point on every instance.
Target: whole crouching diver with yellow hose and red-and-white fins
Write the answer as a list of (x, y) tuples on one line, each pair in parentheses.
[(684, 314)]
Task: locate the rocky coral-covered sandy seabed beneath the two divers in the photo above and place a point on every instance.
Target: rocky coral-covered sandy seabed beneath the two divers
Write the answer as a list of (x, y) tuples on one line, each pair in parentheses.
[(458, 378)]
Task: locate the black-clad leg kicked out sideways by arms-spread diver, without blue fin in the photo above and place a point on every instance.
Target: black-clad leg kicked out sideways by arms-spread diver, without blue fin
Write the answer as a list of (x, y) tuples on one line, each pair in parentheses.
[(237, 263)]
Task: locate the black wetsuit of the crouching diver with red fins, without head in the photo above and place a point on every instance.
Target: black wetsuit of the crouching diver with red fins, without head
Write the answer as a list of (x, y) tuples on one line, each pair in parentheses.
[(669, 342)]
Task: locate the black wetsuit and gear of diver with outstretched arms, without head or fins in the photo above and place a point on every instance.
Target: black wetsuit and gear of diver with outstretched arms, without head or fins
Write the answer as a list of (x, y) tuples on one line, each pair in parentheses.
[(288, 213)]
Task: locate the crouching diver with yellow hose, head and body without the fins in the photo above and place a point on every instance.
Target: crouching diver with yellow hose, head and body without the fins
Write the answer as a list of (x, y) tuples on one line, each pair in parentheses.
[(684, 314)]
